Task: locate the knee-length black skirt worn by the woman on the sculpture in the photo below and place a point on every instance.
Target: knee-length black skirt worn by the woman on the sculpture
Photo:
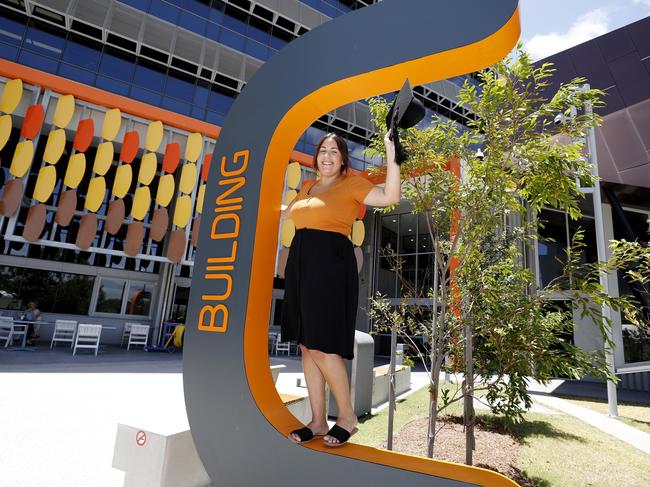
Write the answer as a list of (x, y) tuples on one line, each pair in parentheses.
[(321, 292)]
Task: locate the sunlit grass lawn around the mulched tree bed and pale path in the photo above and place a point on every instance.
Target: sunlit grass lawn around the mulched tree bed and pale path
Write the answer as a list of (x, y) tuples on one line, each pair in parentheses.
[(556, 449)]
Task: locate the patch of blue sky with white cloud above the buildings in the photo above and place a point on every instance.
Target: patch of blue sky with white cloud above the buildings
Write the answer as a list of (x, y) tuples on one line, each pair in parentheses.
[(550, 26)]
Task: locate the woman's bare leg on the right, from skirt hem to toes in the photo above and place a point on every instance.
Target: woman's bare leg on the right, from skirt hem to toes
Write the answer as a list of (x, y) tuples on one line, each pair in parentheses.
[(333, 370)]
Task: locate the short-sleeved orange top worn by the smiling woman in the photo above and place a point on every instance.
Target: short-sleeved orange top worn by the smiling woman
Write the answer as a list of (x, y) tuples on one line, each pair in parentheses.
[(334, 210)]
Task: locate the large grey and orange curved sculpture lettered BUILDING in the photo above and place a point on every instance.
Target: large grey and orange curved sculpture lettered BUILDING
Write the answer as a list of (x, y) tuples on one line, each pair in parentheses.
[(237, 420)]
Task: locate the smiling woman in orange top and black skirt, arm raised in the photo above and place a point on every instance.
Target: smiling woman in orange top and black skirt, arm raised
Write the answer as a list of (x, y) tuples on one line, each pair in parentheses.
[(321, 284)]
